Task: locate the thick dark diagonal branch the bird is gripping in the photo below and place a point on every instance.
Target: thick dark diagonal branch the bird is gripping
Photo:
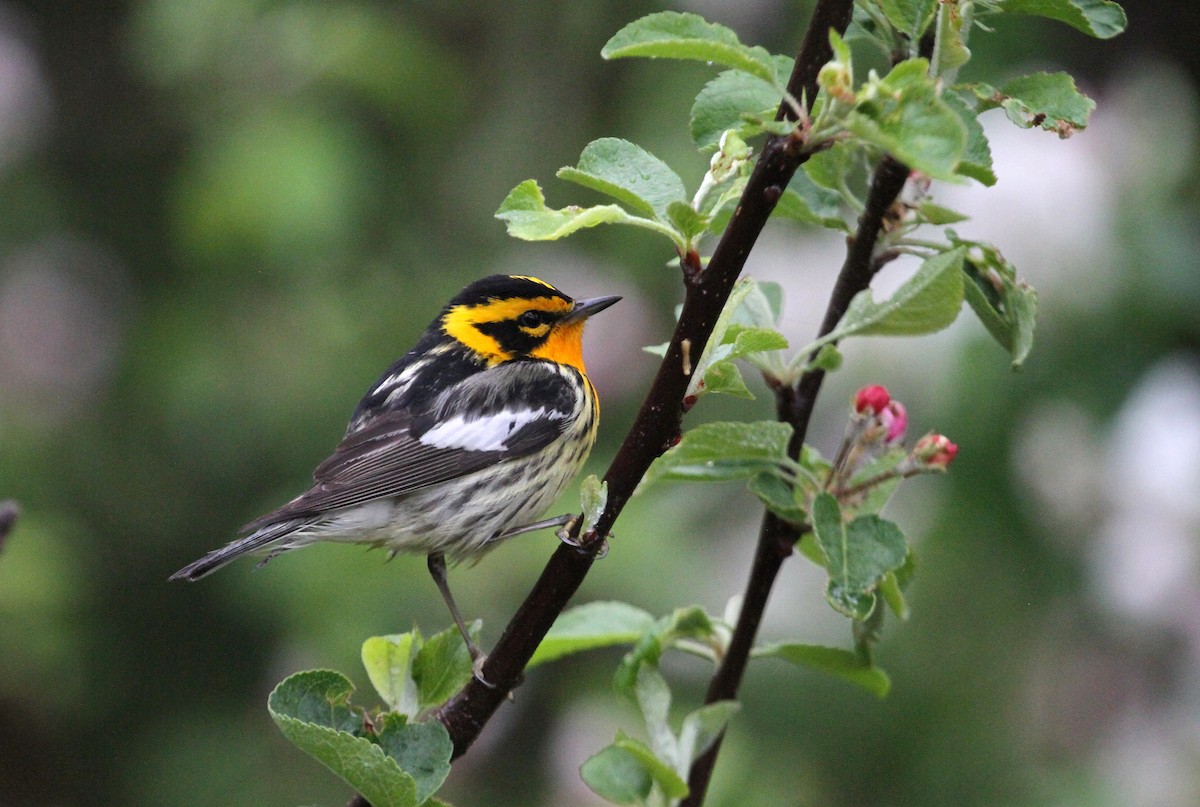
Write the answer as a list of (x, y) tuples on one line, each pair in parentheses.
[(658, 422)]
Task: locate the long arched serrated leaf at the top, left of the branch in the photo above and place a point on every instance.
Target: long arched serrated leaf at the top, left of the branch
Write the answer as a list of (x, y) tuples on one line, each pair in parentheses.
[(673, 35)]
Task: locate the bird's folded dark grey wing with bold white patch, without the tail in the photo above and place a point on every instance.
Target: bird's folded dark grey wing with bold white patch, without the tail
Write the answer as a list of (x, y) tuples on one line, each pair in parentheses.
[(502, 414)]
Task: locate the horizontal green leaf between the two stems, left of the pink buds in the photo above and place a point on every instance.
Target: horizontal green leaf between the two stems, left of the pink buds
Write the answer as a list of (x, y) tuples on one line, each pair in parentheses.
[(719, 452)]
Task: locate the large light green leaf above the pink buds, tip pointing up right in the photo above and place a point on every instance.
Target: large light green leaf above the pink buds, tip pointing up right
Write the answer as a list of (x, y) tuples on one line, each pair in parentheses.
[(926, 303)]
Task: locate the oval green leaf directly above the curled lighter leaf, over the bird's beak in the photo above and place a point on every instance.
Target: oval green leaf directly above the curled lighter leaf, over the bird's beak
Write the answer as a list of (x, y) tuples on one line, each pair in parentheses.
[(628, 174)]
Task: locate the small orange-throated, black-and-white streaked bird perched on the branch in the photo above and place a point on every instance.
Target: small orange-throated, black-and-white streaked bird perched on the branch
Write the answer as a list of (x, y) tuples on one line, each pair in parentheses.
[(461, 444)]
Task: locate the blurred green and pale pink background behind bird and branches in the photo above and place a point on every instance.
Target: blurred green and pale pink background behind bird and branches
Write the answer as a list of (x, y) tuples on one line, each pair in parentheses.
[(221, 219)]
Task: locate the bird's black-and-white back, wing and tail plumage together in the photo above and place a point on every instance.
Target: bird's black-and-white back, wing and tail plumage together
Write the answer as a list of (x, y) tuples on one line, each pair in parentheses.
[(415, 431)]
